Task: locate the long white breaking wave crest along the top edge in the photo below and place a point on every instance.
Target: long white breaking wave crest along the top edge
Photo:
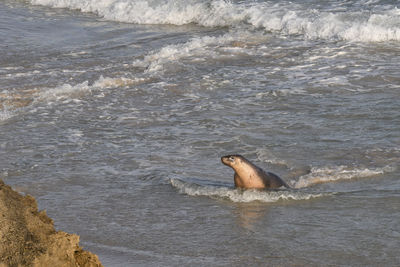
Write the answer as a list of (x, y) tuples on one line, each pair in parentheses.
[(285, 17)]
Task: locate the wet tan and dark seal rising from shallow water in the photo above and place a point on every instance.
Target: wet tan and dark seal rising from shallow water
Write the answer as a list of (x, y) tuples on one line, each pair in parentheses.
[(248, 175)]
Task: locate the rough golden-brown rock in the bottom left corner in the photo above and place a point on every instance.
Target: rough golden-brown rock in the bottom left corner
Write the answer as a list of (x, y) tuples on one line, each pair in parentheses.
[(28, 237)]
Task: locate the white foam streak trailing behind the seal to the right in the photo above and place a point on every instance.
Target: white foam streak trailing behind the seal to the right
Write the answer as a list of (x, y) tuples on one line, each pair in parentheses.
[(331, 174)]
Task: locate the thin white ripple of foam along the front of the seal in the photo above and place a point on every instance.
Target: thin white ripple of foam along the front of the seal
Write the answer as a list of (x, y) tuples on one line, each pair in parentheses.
[(237, 195)]
